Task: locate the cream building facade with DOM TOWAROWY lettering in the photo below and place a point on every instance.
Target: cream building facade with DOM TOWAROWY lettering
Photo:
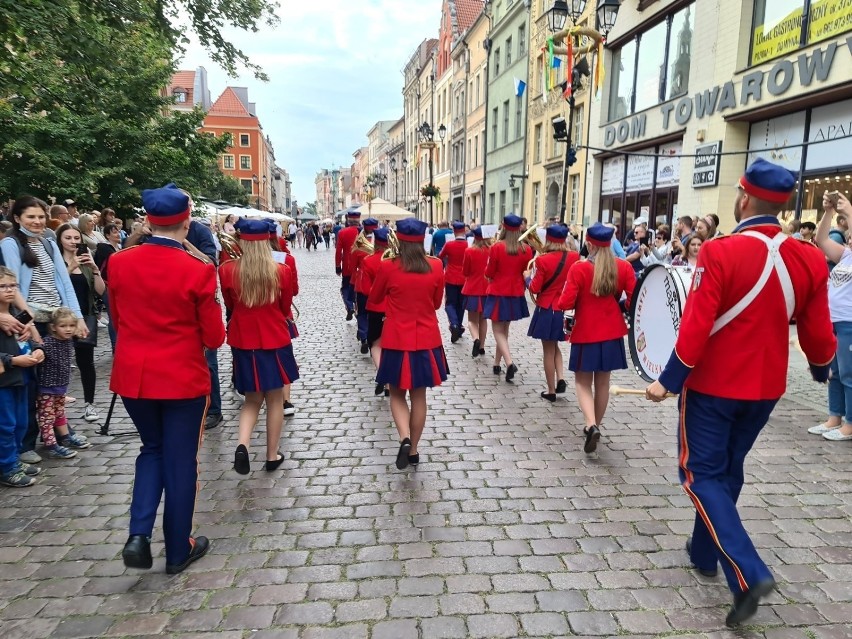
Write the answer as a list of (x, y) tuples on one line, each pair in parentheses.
[(773, 82)]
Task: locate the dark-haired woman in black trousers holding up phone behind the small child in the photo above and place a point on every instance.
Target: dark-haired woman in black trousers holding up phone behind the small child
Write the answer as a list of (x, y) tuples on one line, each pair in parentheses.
[(87, 280)]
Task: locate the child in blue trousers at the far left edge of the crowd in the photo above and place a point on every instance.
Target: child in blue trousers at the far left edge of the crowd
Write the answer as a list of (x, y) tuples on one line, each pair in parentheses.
[(15, 356)]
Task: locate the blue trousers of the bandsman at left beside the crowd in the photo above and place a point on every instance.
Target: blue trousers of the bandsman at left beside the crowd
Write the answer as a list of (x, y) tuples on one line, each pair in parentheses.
[(170, 431)]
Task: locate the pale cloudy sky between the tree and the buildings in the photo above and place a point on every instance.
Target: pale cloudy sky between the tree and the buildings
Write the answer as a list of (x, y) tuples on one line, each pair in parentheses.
[(335, 69)]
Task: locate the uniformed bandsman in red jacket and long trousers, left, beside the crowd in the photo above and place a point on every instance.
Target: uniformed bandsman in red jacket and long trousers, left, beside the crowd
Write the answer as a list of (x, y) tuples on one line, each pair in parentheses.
[(163, 304)]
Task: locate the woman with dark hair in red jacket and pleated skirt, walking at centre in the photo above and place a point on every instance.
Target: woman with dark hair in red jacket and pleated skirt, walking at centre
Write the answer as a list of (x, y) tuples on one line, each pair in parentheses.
[(413, 359)]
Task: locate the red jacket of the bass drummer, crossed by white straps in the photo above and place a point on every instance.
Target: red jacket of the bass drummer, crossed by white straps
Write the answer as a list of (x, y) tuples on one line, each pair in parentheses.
[(747, 359)]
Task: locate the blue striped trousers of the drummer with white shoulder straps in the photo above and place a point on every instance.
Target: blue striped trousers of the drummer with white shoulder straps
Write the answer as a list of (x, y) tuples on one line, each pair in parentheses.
[(714, 436)]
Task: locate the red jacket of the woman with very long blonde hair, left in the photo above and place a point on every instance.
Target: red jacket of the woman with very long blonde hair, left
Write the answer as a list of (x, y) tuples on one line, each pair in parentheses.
[(258, 327)]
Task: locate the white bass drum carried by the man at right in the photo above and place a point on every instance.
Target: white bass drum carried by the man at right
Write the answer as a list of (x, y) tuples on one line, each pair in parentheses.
[(655, 312)]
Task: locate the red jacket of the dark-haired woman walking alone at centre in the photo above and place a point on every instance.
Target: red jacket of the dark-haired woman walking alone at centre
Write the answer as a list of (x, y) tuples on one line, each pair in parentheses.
[(412, 299)]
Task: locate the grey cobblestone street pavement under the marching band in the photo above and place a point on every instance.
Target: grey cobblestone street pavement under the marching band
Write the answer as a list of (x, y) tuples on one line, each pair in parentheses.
[(506, 530)]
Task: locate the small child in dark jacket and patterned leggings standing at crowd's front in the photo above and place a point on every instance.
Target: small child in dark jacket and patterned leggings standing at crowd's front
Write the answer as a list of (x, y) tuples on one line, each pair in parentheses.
[(54, 378)]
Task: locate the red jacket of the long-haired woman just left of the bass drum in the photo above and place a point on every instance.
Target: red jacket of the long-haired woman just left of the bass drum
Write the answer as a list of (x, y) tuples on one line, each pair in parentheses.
[(596, 319)]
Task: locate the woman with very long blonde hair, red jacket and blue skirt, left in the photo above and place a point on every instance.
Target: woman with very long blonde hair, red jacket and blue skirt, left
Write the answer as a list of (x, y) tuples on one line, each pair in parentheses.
[(259, 292)]
